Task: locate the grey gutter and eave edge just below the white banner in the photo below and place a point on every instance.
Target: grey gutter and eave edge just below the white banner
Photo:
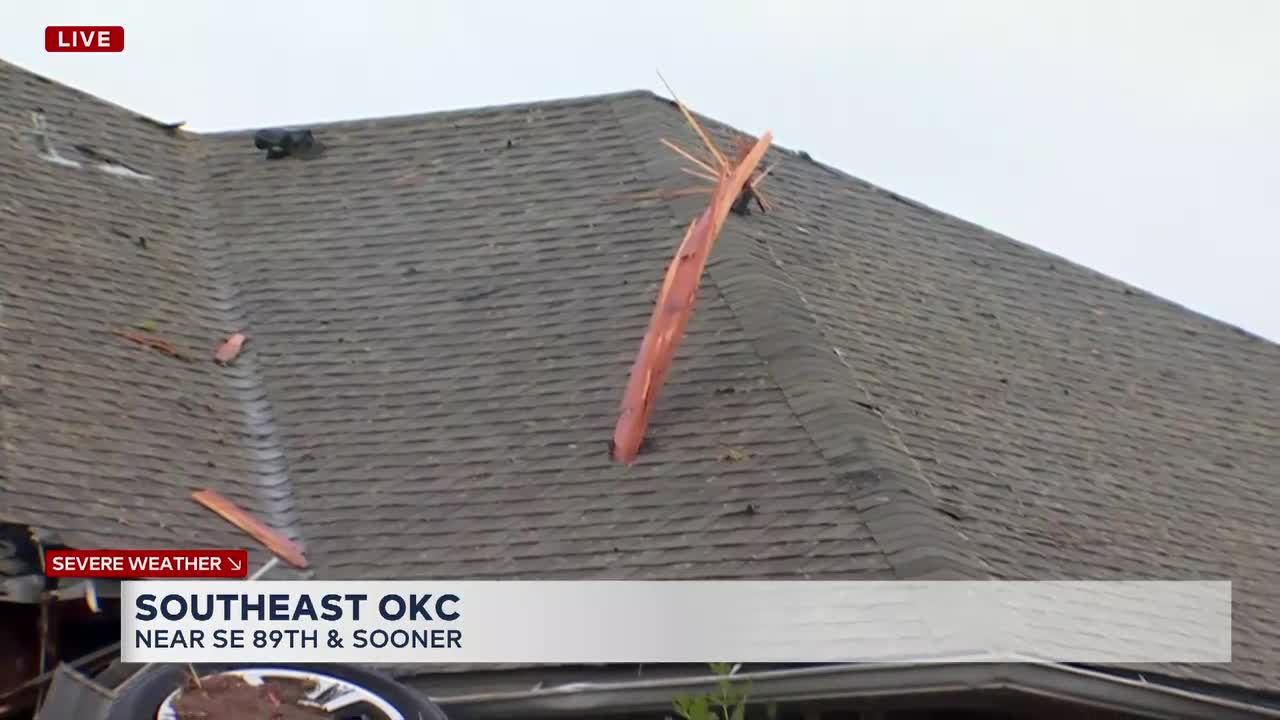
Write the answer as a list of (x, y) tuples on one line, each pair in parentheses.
[(863, 687)]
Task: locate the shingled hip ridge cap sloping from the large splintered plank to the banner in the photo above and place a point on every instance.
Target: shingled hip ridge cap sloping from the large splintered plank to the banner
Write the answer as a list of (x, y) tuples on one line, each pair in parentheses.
[(892, 491)]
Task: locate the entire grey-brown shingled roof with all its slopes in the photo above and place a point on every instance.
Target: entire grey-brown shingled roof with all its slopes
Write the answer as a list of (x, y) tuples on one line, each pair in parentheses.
[(442, 312)]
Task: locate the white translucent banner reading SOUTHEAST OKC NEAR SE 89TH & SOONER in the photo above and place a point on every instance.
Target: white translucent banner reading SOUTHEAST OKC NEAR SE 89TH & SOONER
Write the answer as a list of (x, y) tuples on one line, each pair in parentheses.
[(675, 622)]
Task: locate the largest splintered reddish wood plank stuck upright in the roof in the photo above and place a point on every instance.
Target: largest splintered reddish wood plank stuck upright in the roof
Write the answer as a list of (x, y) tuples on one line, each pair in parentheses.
[(676, 299)]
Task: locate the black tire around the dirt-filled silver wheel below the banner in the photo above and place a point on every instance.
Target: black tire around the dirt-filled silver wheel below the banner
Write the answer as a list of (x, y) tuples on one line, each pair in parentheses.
[(143, 695)]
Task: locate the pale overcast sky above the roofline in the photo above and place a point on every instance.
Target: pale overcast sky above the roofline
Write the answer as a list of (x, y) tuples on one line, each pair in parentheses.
[(1137, 138)]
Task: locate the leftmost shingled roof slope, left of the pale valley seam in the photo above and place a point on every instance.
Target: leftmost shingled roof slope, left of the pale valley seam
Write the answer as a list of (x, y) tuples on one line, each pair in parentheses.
[(104, 438)]
